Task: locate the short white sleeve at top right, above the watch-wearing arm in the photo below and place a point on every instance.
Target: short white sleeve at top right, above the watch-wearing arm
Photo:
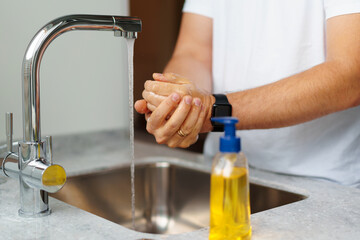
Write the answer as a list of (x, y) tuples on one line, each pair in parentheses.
[(340, 7)]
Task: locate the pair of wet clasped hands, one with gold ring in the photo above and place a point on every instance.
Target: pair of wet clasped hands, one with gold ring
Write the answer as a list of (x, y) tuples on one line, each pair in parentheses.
[(175, 109)]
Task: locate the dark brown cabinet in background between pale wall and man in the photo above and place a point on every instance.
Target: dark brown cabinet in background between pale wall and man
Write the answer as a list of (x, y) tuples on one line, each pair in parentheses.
[(154, 46)]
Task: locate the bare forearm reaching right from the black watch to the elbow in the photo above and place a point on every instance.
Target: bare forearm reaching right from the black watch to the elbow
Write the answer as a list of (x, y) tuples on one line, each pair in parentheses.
[(321, 90)]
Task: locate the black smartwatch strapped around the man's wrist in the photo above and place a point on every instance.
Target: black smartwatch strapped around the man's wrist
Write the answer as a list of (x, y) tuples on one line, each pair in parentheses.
[(221, 108)]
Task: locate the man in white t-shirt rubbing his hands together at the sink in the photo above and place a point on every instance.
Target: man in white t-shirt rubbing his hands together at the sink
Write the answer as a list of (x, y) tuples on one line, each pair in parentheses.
[(290, 70)]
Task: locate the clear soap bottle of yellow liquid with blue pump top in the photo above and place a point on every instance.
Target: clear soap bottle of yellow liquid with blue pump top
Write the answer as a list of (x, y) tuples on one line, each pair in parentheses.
[(229, 193)]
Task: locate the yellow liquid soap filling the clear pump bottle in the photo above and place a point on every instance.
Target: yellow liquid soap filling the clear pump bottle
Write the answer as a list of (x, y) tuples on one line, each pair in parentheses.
[(229, 206)]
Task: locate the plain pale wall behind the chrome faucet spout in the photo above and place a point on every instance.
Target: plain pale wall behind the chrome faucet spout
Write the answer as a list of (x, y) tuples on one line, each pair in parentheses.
[(84, 85)]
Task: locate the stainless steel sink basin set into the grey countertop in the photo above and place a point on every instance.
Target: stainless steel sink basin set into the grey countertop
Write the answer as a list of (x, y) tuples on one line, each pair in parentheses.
[(169, 199)]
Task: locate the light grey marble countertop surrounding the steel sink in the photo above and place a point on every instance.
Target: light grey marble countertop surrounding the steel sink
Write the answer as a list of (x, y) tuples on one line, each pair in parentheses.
[(330, 211)]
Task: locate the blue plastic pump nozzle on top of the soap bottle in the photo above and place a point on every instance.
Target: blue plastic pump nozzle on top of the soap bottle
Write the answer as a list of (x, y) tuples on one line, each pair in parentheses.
[(229, 142)]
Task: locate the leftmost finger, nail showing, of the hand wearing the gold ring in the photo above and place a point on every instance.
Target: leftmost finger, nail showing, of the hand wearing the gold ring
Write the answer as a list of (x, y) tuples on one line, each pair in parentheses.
[(159, 115)]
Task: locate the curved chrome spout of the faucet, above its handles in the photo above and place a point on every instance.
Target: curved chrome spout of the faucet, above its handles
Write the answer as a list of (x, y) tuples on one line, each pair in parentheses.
[(122, 26)]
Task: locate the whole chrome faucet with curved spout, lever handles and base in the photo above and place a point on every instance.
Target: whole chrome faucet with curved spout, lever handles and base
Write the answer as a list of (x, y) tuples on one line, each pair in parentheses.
[(33, 163)]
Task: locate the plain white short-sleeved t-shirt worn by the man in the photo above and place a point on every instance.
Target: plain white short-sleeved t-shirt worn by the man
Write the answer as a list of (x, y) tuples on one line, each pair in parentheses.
[(256, 42)]
